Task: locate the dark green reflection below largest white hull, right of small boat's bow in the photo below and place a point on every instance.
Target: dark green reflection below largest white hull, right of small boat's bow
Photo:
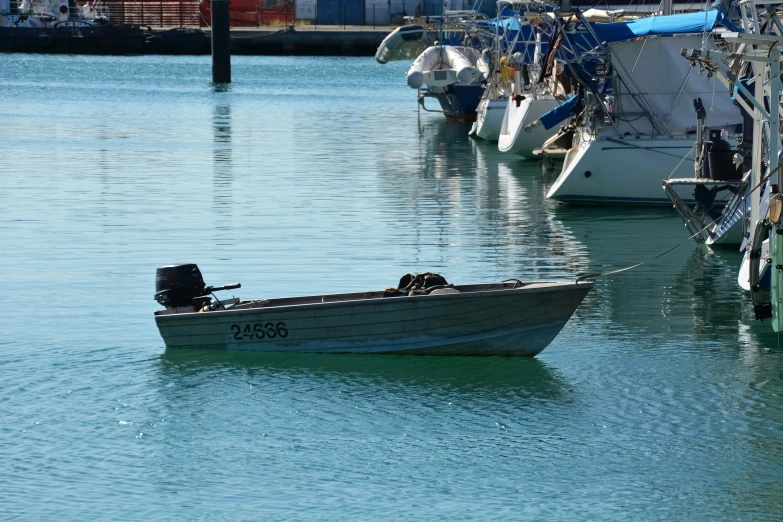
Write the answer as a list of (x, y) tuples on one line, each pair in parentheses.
[(690, 291)]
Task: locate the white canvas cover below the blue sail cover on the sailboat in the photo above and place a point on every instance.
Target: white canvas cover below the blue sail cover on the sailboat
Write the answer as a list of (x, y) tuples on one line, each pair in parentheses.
[(658, 71)]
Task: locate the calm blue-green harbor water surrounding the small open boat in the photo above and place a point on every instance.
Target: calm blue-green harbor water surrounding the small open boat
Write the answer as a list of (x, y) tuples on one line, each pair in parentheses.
[(660, 400)]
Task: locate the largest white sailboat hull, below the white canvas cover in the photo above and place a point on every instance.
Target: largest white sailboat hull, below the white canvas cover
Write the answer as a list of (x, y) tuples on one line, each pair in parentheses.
[(623, 171)]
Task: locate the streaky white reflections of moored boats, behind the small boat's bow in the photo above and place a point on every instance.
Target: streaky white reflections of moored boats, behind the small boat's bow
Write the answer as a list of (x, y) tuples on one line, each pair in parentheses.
[(462, 197)]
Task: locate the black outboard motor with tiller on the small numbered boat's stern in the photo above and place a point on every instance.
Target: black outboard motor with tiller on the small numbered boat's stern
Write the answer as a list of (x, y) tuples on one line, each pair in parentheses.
[(182, 285)]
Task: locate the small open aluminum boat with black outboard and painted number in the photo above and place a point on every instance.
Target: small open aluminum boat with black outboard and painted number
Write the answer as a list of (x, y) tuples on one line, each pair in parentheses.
[(511, 318)]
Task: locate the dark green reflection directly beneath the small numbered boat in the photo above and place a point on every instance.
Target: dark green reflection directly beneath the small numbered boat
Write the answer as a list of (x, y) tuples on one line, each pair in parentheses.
[(492, 378)]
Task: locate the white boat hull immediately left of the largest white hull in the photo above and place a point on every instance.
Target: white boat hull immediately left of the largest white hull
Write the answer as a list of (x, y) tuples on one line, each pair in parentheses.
[(513, 139)]
